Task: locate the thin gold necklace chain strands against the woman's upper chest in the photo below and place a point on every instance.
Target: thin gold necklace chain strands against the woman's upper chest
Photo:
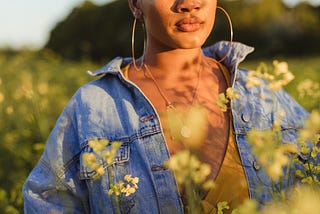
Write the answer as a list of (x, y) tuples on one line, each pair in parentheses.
[(169, 104)]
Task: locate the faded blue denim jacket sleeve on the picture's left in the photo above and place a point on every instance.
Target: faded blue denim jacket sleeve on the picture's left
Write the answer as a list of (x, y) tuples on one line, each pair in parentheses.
[(54, 186)]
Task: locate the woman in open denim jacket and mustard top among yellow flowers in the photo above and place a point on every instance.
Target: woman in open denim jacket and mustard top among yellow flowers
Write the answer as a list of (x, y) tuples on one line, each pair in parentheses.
[(128, 104)]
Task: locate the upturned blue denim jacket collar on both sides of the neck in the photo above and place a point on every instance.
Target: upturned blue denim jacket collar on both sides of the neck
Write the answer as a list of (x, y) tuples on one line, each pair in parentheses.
[(217, 51)]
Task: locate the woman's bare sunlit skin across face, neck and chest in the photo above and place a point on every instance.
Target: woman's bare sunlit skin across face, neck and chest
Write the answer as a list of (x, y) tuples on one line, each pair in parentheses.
[(176, 31)]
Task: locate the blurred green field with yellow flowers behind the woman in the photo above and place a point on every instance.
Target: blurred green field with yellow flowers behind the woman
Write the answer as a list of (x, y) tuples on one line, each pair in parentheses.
[(34, 88)]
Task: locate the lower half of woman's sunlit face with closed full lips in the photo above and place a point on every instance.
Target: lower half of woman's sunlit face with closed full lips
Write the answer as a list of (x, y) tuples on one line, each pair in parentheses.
[(178, 23)]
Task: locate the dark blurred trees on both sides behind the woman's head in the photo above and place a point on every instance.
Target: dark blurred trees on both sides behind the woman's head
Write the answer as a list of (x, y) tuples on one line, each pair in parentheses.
[(103, 32)]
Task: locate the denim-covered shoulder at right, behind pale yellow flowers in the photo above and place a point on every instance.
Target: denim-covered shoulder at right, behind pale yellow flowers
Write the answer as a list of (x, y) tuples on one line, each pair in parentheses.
[(264, 106)]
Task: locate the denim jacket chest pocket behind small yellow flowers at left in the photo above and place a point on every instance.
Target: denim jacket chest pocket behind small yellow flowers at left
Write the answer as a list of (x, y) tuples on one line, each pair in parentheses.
[(104, 166)]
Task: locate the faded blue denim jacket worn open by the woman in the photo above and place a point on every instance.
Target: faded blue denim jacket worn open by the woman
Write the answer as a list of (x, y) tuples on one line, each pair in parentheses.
[(113, 108)]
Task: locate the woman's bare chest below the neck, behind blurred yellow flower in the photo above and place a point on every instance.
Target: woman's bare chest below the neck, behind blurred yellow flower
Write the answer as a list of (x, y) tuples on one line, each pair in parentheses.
[(208, 128)]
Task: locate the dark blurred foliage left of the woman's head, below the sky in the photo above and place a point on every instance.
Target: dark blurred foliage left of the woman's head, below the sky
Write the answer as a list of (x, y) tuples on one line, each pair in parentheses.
[(93, 32)]
